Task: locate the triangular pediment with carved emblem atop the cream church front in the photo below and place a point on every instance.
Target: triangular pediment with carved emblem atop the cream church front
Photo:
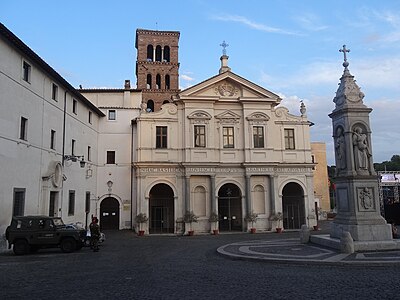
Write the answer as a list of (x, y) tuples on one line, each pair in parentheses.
[(228, 86)]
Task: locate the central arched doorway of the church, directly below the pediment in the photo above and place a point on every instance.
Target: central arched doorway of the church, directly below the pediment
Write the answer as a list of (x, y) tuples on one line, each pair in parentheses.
[(230, 208)]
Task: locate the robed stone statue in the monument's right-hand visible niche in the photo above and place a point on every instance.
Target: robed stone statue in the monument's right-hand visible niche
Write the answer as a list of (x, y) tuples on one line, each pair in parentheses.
[(362, 152)]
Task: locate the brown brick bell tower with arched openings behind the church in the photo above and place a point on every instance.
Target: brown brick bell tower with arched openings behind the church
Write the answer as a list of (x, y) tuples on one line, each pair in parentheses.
[(157, 66)]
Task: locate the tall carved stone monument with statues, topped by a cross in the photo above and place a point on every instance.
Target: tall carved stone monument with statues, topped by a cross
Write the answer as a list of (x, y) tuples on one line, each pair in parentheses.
[(358, 209)]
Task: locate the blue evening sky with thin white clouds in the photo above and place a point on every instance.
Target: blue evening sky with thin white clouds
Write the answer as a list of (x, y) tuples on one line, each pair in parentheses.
[(288, 47)]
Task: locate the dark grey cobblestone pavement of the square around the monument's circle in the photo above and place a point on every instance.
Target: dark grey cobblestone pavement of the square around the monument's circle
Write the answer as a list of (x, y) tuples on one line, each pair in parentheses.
[(176, 267)]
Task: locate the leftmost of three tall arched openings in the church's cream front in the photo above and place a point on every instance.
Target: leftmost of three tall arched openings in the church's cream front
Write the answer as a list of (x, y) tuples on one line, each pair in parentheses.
[(161, 206)]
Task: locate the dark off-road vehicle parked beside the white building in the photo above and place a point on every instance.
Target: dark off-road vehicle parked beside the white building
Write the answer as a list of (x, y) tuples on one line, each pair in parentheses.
[(30, 233)]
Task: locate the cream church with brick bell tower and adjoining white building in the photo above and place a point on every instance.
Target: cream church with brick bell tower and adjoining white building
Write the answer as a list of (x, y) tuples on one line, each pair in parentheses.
[(225, 146)]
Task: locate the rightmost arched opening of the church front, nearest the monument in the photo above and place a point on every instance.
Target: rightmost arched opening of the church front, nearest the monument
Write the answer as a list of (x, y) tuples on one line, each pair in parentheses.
[(293, 206)]
